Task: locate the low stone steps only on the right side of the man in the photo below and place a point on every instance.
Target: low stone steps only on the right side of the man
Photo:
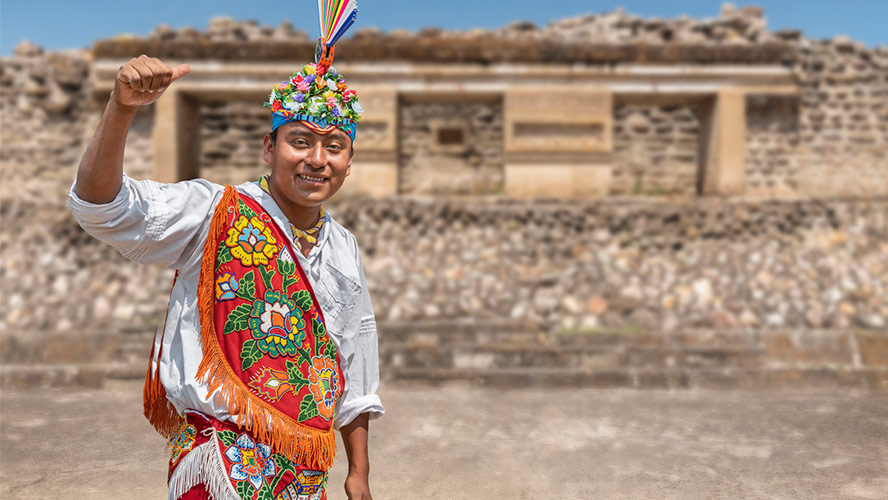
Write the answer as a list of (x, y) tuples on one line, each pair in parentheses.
[(510, 354)]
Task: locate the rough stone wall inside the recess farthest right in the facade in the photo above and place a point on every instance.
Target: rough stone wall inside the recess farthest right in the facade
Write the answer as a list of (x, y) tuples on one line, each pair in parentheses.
[(656, 149)]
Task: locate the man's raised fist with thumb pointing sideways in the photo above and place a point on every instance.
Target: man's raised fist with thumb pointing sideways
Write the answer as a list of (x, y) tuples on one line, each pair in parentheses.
[(143, 79)]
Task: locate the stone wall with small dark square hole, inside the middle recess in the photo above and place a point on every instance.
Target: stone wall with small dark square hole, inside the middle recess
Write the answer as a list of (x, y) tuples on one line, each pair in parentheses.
[(450, 148)]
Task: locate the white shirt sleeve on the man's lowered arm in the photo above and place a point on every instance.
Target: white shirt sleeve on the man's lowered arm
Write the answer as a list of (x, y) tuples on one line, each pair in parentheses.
[(359, 354)]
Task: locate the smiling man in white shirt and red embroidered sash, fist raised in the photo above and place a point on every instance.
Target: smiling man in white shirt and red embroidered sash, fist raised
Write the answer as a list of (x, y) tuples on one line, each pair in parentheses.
[(270, 340)]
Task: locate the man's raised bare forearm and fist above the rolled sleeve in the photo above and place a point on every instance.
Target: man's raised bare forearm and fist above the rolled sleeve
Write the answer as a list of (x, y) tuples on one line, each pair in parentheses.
[(139, 83)]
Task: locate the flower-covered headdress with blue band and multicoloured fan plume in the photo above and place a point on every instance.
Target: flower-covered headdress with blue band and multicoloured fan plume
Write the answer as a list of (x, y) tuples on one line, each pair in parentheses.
[(316, 94)]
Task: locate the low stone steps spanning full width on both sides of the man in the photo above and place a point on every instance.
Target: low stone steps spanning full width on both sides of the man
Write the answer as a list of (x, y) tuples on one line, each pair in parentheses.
[(509, 354)]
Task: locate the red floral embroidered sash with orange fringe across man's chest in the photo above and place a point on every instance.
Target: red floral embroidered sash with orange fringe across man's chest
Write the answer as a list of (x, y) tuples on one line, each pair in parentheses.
[(265, 346)]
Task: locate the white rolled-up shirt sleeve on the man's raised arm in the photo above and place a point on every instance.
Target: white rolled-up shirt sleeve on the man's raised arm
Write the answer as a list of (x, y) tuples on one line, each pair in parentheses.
[(150, 222)]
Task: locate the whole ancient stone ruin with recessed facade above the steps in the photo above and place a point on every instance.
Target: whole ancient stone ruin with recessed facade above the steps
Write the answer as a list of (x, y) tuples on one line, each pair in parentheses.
[(688, 173)]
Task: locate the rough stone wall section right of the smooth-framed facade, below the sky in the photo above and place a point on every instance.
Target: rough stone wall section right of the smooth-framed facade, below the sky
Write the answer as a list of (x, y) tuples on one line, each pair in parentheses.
[(843, 119)]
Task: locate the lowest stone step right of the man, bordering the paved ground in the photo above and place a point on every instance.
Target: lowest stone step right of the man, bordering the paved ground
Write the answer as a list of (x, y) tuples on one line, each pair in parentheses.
[(868, 378)]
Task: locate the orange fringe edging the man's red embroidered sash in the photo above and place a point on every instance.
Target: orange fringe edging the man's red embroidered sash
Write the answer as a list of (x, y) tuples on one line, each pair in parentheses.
[(300, 443)]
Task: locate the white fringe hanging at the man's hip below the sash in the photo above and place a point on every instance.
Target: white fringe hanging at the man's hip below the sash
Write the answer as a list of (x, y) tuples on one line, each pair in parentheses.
[(203, 465)]
